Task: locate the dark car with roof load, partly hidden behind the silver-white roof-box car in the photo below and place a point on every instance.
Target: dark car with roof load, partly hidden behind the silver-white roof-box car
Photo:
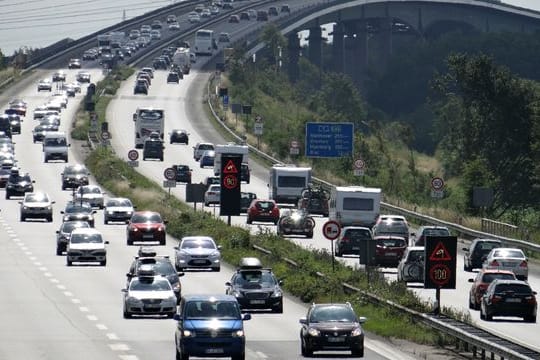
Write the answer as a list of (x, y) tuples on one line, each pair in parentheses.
[(161, 265)]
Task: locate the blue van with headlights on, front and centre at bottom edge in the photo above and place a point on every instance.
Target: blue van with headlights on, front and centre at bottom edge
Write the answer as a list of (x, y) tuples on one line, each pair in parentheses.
[(198, 316)]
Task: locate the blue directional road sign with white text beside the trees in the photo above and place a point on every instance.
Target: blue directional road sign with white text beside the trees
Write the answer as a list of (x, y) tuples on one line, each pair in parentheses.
[(329, 139)]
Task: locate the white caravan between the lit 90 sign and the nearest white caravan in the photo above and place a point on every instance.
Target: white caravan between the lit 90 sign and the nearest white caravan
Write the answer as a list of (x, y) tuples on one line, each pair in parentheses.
[(287, 182)]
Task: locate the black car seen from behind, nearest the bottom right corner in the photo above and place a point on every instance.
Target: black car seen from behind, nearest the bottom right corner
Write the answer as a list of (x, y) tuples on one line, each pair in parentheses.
[(509, 298)]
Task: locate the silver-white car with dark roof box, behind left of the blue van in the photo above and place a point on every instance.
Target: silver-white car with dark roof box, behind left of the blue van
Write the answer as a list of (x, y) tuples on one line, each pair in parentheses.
[(149, 294)]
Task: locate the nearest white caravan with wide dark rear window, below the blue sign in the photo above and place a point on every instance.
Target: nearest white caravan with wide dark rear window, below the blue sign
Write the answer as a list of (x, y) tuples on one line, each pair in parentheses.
[(354, 205)]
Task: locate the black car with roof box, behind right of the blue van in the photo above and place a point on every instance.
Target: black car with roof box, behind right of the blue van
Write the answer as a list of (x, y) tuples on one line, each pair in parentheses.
[(255, 287)]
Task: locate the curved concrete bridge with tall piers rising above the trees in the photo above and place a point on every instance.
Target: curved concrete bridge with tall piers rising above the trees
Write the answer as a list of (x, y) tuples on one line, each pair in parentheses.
[(373, 29)]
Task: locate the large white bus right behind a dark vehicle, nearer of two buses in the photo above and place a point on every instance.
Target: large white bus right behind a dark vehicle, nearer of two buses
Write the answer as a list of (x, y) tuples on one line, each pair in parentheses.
[(148, 121)]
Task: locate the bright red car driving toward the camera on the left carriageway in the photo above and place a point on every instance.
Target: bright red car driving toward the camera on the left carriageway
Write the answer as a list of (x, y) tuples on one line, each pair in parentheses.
[(146, 226)]
